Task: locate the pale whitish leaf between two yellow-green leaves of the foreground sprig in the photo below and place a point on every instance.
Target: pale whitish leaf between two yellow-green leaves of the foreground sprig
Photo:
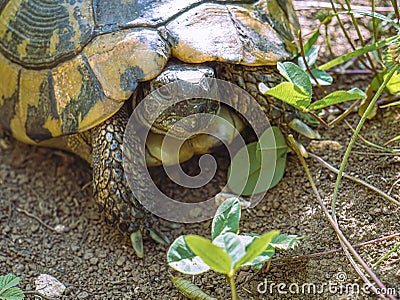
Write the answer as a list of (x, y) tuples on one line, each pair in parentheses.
[(232, 245)]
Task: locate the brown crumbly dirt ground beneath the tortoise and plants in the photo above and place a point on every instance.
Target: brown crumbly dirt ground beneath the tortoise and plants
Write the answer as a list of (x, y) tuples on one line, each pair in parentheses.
[(95, 261)]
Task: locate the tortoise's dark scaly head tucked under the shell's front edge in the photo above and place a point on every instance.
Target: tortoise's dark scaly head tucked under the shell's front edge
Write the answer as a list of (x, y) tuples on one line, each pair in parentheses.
[(180, 100)]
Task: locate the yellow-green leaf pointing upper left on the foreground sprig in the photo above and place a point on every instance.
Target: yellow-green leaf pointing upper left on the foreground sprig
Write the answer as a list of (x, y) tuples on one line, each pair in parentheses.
[(215, 257)]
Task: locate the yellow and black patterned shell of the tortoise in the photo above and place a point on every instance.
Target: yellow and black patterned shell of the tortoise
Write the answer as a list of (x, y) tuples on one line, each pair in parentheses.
[(68, 65)]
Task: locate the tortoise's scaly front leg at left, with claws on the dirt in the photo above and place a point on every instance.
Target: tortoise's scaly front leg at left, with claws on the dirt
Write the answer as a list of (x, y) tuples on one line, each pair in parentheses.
[(111, 190)]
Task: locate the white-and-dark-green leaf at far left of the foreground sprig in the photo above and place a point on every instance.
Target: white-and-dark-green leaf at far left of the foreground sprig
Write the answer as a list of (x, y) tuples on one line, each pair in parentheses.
[(182, 259)]
